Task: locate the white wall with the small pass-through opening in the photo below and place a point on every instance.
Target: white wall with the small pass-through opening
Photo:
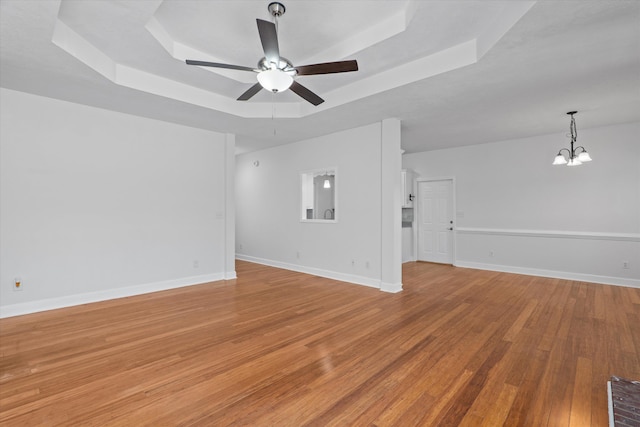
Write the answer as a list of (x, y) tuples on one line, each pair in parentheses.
[(268, 197)]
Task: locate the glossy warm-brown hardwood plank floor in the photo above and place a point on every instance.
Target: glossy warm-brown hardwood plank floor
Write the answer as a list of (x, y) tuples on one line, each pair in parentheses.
[(458, 347)]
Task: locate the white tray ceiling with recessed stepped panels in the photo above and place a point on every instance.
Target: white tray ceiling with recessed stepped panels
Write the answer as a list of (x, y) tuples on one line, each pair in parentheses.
[(455, 72)]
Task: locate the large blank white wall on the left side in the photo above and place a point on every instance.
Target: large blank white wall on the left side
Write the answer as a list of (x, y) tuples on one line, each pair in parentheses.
[(96, 204)]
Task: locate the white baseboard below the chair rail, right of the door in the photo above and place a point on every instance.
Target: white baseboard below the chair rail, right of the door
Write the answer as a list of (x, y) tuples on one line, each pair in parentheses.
[(581, 277)]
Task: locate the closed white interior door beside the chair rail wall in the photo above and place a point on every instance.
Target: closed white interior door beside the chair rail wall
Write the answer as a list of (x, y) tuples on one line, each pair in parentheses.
[(435, 221)]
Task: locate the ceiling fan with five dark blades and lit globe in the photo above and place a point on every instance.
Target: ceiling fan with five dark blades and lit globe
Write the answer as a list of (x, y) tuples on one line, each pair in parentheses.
[(276, 73)]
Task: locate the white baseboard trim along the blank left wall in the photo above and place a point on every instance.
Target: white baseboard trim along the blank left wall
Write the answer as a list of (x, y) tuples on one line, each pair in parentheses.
[(90, 297)]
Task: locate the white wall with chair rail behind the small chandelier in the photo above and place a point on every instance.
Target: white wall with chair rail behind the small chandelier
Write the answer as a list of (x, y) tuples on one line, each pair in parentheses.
[(579, 223)]
